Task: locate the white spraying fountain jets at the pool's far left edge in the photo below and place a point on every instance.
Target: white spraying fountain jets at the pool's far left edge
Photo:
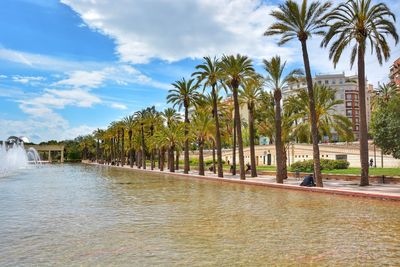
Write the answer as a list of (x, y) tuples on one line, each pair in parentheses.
[(14, 156)]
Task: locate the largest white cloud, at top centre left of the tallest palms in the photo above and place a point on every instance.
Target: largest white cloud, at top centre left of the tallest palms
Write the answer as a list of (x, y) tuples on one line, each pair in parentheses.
[(174, 30)]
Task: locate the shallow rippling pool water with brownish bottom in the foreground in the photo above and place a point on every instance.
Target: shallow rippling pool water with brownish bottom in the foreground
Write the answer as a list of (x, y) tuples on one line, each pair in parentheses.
[(73, 215)]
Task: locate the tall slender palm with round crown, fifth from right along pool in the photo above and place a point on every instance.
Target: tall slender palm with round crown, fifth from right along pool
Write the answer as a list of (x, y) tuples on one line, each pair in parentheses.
[(235, 69)]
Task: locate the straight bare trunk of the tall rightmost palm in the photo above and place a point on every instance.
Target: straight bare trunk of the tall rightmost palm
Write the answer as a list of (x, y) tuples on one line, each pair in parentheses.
[(363, 118)]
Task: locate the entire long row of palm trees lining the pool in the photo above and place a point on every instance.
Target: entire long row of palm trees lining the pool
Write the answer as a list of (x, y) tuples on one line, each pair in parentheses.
[(305, 117)]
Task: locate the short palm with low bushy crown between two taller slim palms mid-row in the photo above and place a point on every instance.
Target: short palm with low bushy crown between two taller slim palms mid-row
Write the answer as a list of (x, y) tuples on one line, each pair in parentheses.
[(203, 128)]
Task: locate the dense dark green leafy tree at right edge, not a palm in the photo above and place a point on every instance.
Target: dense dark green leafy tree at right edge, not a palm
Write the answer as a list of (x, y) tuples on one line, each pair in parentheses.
[(385, 127)]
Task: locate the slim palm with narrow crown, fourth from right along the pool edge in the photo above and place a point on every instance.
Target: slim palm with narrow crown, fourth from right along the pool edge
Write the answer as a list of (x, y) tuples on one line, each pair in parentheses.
[(249, 94)]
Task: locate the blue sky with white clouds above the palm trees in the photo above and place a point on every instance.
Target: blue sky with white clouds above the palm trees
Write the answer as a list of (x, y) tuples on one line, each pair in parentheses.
[(69, 67)]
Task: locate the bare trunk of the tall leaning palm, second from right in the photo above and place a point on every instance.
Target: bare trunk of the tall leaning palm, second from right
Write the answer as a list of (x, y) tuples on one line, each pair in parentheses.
[(313, 115)]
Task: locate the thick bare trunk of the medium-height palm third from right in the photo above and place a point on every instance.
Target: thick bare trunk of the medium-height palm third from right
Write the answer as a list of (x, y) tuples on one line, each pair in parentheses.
[(278, 137)]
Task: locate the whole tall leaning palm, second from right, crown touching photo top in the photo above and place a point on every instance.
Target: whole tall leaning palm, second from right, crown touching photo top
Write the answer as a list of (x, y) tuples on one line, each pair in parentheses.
[(301, 22)]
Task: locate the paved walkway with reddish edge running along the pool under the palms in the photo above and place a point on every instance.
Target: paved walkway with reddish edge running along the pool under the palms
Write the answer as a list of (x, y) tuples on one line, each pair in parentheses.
[(340, 187)]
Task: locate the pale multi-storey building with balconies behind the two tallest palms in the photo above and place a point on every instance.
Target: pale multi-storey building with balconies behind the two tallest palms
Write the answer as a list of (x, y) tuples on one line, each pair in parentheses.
[(347, 90)]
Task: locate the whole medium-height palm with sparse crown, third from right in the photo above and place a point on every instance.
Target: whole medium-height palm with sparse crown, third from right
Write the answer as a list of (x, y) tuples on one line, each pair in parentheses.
[(276, 82)]
